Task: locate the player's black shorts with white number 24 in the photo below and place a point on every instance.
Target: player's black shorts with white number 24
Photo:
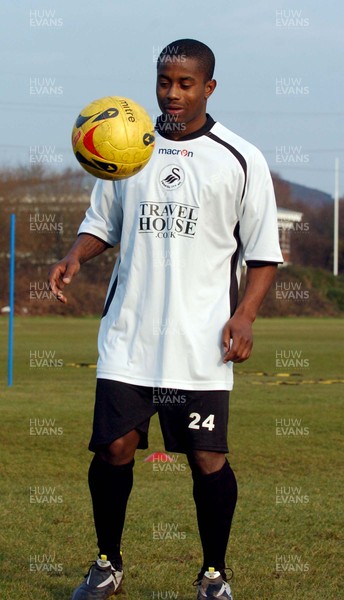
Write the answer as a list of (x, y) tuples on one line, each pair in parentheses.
[(189, 420)]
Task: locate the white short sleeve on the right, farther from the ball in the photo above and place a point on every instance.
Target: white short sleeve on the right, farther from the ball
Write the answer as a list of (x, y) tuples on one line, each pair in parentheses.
[(258, 214)]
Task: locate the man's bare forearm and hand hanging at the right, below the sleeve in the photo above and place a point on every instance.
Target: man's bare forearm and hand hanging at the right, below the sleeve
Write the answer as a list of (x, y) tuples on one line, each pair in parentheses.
[(239, 326)]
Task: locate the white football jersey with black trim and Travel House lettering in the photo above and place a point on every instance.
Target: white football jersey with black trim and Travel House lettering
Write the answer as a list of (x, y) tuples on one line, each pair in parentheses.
[(185, 222)]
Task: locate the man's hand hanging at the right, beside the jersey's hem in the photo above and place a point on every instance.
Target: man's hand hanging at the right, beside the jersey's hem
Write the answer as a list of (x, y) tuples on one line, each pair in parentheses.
[(237, 339)]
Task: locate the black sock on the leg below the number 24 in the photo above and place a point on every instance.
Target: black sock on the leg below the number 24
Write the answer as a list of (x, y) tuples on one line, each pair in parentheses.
[(215, 496)]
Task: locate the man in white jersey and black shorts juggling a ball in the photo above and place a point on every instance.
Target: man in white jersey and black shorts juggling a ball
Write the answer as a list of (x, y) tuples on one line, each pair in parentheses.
[(171, 318)]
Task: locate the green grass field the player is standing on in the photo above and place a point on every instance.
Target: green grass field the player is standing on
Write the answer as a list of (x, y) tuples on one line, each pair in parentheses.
[(286, 439)]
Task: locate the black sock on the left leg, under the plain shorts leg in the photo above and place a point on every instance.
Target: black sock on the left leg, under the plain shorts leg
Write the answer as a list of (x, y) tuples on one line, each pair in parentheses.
[(110, 487)]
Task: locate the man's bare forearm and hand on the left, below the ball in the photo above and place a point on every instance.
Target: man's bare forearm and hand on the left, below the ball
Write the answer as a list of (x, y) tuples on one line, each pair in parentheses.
[(84, 248)]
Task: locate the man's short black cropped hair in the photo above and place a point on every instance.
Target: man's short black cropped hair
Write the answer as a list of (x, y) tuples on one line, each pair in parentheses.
[(187, 48)]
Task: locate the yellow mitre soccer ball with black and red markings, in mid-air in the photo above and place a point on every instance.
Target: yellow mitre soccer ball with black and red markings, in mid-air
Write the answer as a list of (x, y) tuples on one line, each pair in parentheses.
[(113, 138)]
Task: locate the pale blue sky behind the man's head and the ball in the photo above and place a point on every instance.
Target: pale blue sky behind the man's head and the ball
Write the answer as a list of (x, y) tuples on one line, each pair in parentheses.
[(279, 72)]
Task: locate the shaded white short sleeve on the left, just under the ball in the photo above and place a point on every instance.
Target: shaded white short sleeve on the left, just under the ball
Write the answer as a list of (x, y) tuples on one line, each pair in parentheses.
[(104, 217)]
